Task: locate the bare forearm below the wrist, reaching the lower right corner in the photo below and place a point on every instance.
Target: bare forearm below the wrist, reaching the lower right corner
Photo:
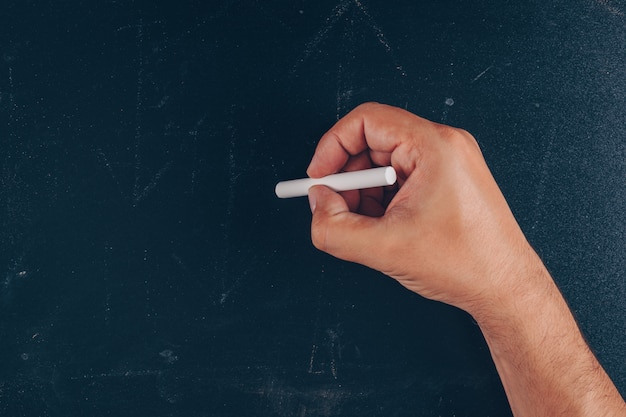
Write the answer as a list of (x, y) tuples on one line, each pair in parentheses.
[(543, 360)]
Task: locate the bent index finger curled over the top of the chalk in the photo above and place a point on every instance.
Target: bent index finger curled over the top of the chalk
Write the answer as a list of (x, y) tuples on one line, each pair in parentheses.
[(371, 127)]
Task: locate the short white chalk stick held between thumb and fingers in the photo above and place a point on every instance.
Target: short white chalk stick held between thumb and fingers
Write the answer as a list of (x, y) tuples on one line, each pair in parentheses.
[(344, 181)]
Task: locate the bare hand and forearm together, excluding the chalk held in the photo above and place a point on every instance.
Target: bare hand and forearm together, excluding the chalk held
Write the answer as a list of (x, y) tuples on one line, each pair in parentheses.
[(446, 232)]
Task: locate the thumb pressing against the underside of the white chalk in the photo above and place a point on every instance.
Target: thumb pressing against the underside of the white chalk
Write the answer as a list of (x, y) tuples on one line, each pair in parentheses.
[(338, 231)]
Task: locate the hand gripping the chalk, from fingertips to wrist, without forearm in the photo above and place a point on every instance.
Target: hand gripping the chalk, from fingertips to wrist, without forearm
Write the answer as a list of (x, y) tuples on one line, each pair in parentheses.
[(446, 232)]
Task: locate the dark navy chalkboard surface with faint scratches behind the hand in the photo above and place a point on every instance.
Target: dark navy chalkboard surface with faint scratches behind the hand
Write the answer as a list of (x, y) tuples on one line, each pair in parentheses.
[(148, 269)]
